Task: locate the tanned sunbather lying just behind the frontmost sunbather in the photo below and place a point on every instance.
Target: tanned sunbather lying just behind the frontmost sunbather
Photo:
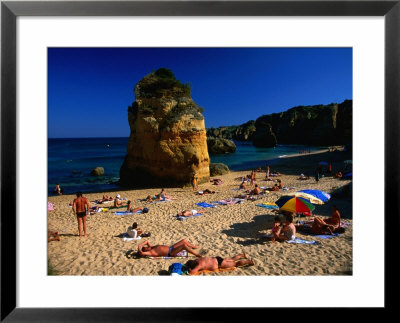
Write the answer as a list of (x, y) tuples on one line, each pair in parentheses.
[(146, 249)]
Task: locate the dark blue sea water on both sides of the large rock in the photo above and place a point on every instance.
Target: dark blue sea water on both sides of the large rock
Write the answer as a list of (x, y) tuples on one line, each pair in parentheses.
[(70, 161)]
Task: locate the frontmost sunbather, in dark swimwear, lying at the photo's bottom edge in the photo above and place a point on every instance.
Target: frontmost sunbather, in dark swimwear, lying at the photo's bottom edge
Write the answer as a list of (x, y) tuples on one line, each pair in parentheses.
[(213, 263)]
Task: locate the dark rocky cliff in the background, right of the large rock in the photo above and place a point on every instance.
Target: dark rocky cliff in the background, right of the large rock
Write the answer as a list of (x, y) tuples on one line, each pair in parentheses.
[(308, 125)]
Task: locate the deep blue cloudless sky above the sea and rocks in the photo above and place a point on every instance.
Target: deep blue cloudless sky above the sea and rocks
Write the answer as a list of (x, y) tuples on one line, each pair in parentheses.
[(90, 89)]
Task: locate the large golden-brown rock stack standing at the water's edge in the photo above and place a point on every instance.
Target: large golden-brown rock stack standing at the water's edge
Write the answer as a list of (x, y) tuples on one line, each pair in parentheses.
[(167, 144)]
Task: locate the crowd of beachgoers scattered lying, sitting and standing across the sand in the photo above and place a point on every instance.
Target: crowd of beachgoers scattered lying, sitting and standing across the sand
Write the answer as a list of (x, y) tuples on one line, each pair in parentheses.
[(278, 233)]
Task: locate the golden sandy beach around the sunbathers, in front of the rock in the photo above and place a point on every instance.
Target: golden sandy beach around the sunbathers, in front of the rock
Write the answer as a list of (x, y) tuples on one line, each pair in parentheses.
[(225, 230)]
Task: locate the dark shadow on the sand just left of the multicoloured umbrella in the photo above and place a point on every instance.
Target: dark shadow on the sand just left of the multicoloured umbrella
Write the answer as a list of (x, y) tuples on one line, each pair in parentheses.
[(250, 229)]
